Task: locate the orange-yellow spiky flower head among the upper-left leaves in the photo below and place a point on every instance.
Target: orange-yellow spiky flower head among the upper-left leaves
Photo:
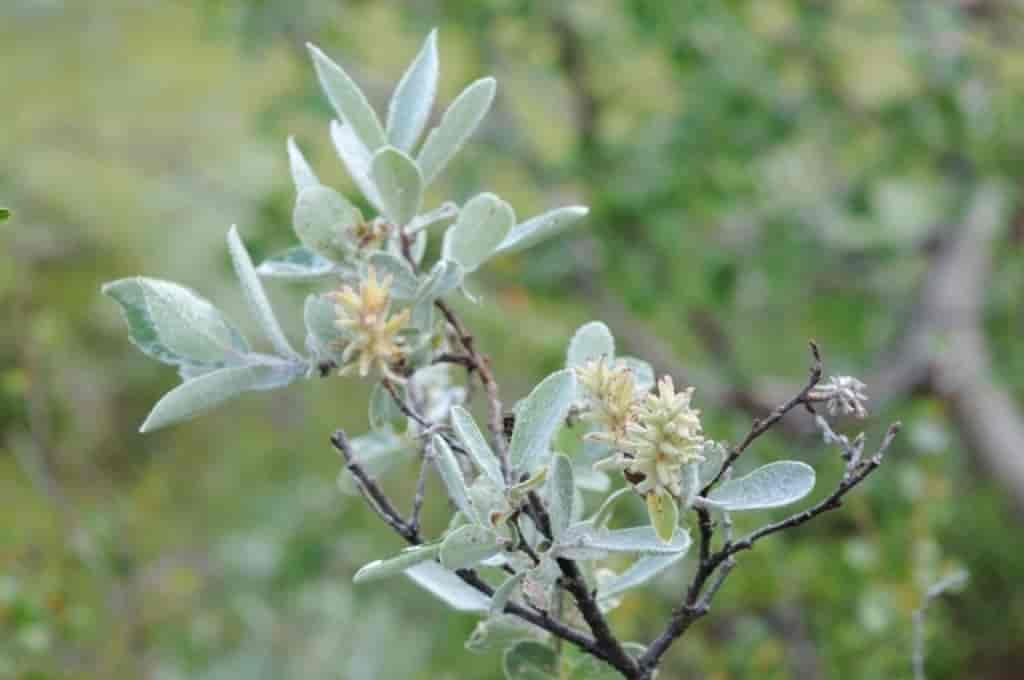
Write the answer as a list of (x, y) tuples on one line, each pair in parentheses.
[(364, 317)]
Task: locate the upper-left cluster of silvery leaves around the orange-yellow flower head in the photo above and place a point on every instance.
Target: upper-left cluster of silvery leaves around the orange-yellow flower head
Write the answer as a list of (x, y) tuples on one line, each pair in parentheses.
[(177, 326)]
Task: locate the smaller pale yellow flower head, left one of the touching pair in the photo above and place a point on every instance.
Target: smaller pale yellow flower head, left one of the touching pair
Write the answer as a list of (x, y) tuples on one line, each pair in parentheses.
[(610, 399)]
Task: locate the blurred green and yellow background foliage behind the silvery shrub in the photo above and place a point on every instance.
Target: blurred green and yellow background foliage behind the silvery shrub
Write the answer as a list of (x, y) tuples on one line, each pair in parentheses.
[(761, 173)]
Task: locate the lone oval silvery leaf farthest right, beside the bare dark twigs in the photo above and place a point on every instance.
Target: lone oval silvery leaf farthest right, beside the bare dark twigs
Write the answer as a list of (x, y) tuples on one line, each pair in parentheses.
[(772, 486)]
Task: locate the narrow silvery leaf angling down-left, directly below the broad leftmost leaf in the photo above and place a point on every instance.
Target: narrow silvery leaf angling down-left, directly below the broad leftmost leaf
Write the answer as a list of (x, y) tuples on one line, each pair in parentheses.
[(202, 394)]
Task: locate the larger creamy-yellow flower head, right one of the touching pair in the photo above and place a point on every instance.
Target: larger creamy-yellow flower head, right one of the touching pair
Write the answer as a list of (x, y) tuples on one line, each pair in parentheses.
[(664, 437)]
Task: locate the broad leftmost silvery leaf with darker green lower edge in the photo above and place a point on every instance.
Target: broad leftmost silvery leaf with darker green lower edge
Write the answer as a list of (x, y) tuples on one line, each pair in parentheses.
[(175, 325)]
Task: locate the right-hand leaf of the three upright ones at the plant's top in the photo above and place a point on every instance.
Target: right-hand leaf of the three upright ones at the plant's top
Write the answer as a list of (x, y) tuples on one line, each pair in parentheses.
[(458, 123)]
